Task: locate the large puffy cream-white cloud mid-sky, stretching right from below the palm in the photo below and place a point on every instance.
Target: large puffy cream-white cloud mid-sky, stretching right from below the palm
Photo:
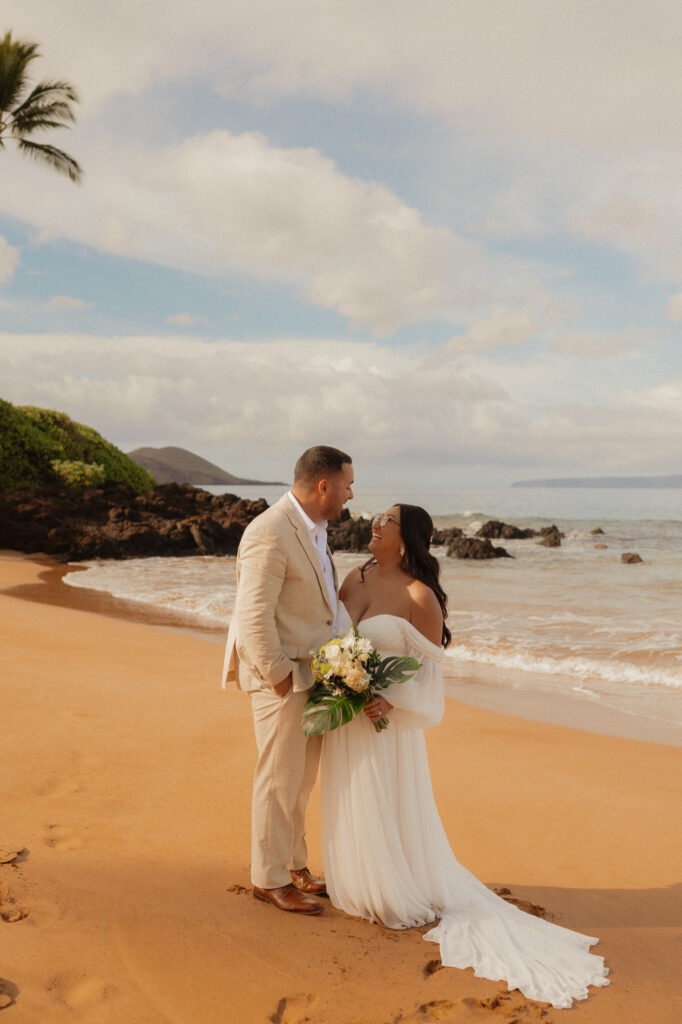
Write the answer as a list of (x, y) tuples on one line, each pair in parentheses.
[(221, 204)]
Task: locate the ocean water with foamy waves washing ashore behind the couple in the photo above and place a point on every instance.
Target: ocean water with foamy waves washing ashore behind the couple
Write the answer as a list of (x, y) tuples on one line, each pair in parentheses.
[(571, 621)]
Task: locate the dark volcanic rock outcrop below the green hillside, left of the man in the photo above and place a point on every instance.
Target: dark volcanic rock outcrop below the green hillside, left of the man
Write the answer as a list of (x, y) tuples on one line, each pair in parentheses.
[(114, 523)]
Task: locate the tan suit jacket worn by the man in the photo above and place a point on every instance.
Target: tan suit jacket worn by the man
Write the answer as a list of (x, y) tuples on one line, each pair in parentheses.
[(283, 611)]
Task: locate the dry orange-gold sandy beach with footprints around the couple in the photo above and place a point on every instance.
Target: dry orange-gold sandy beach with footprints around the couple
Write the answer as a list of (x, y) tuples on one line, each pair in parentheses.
[(126, 778)]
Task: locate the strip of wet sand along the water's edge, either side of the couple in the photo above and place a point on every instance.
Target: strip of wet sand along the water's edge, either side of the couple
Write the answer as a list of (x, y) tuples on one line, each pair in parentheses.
[(480, 687)]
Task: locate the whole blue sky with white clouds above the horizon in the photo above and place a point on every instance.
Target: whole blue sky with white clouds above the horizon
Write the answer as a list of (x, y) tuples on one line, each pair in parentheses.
[(446, 237)]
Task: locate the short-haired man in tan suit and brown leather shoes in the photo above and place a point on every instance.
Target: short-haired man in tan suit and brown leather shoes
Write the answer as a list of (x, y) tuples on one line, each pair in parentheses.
[(286, 608)]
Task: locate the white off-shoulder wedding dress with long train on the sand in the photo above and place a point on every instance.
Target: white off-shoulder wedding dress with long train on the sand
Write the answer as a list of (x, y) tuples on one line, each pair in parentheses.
[(388, 858)]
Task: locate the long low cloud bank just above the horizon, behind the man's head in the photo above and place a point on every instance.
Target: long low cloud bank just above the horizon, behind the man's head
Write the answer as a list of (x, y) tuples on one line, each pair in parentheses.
[(395, 409)]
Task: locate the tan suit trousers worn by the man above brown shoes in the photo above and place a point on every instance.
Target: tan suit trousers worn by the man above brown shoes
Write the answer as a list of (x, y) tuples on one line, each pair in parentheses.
[(285, 775)]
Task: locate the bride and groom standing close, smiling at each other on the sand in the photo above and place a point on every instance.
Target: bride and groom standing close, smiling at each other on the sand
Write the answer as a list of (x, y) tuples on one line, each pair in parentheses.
[(386, 854)]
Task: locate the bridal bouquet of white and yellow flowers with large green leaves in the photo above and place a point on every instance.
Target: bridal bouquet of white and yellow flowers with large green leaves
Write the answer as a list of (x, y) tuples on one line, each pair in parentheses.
[(349, 671)]
